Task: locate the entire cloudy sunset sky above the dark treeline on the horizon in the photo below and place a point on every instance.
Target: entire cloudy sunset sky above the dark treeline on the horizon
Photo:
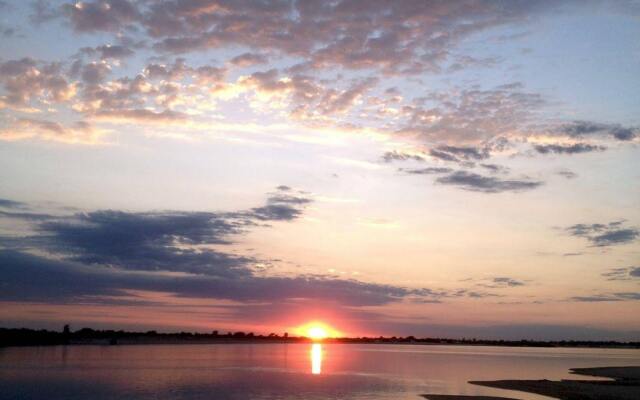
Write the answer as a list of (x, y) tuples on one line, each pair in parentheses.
[(430, 168)]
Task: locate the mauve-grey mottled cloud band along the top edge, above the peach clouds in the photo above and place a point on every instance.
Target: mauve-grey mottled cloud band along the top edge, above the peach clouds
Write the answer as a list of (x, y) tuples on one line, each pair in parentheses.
[(408, 36)]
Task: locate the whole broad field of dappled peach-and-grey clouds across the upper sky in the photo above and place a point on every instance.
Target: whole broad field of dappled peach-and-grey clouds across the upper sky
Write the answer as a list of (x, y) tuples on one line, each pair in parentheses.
[(316, 43)]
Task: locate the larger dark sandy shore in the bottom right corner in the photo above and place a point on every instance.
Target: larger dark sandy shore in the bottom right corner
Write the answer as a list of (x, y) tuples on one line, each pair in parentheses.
[(624, 386)]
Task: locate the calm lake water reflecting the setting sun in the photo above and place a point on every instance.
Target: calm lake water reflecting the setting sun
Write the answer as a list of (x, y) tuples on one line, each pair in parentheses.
[(282, 371)]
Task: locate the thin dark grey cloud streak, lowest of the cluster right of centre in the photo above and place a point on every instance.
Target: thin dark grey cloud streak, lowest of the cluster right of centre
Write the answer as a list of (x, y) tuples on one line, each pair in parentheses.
[(486, 184)]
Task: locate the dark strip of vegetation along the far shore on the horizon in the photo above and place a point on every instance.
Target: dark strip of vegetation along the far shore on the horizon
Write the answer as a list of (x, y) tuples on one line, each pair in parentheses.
[(31, 337)]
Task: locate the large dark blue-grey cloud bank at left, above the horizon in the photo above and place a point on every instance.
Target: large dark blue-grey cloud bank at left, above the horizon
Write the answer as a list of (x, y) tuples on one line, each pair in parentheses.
[(106, 253)]
